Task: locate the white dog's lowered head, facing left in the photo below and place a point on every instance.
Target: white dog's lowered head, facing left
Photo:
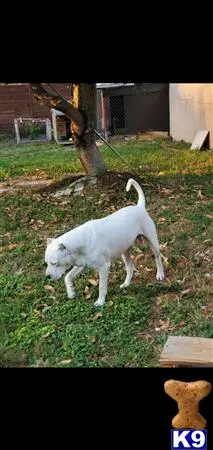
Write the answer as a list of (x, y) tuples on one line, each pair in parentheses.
[(57, 258)]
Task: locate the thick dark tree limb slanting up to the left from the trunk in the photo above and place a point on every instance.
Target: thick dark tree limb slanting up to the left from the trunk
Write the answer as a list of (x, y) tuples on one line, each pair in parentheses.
[(59, 103)]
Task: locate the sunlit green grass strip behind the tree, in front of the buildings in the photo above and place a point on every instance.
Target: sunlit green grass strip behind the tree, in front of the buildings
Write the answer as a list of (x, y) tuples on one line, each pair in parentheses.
[(148, 158)]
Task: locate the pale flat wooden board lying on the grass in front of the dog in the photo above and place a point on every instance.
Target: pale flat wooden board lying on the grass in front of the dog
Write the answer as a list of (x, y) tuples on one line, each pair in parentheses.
[(187, 351)]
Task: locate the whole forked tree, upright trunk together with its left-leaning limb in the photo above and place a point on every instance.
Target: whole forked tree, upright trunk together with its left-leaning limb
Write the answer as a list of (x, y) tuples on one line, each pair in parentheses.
[(82, 112)]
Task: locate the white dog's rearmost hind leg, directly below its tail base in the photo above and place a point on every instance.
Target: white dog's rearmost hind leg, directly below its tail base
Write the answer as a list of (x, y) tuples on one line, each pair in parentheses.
[(150, 233)]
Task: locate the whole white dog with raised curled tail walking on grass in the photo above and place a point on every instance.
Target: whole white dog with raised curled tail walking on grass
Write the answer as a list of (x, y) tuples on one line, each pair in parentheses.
[(97, 242)]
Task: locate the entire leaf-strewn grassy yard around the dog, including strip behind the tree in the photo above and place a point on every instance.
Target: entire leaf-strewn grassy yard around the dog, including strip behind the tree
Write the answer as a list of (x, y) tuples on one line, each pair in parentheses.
[(39, 326)]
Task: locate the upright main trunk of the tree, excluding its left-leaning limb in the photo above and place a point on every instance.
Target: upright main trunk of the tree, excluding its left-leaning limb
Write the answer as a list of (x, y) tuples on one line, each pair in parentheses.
[(84, 99)]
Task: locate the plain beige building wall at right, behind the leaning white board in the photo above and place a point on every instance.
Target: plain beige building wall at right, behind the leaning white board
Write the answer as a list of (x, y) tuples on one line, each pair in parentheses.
[(191, 110)]
